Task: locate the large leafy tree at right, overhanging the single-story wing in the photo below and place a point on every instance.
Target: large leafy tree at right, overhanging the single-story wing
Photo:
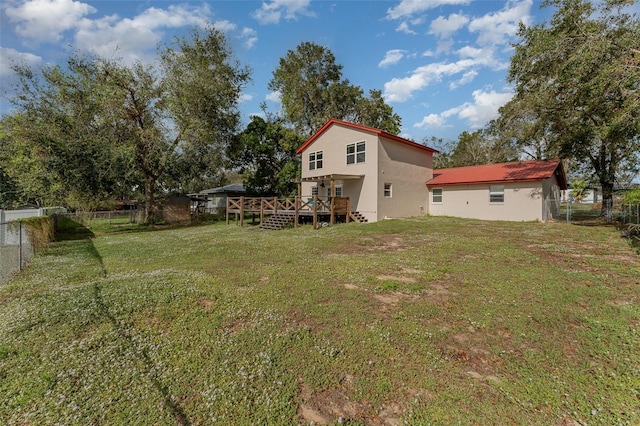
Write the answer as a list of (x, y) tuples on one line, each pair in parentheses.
[(576, 88)]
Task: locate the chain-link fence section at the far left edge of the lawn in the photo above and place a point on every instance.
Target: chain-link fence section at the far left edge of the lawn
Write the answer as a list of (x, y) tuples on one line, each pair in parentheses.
[(15, 249)]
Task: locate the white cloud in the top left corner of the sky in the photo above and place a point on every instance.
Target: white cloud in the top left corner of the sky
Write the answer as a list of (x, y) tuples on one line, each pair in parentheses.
[(46, 20)]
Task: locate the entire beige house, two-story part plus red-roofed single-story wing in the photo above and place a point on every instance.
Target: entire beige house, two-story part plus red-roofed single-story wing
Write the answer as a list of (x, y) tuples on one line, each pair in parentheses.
[(386, 176)]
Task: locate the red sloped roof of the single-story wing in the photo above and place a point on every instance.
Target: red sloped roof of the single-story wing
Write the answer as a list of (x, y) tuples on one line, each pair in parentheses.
[(519, 171)]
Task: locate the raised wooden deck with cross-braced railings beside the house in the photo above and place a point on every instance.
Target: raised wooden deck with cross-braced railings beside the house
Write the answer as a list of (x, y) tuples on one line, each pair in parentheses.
[(318, 209)]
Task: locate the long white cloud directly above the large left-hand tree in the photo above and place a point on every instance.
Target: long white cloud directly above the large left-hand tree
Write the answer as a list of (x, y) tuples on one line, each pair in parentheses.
[(131, 38)]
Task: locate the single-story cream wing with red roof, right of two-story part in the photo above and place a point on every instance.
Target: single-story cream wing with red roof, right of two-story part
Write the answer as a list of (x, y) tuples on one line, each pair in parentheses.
[(517, 191)]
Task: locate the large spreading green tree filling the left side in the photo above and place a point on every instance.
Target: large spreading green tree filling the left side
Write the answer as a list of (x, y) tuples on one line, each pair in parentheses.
[(100, 130)]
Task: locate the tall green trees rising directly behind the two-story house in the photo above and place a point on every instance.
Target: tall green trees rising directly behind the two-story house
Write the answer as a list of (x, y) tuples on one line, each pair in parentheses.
[(313, 91)]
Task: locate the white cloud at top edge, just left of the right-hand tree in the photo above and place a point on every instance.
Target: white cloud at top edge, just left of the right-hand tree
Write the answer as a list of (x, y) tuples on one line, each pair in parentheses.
[(497, 28)]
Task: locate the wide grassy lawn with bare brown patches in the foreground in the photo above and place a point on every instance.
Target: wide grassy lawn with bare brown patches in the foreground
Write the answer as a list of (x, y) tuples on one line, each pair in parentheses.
[(418, 321)]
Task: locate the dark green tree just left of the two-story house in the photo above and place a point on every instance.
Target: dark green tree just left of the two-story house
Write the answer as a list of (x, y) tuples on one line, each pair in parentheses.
[(265, 152)]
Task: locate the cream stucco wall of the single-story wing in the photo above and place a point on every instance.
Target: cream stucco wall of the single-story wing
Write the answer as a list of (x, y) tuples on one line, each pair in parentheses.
[(523, 201)]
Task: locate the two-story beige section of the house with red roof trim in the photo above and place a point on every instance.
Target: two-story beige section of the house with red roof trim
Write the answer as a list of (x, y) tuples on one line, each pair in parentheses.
[(383, 174)]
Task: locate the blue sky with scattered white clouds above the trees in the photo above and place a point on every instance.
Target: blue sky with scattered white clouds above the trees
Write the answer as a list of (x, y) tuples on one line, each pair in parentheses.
[(441, 64)]
